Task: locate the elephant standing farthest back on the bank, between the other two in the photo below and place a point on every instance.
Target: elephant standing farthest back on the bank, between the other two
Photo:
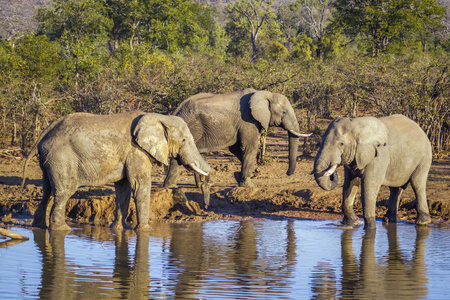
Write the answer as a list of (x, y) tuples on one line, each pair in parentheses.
[(235, 121)]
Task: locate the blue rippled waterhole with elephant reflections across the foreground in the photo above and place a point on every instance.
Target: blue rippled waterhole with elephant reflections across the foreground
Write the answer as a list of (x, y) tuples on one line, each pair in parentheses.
[(230, 260)]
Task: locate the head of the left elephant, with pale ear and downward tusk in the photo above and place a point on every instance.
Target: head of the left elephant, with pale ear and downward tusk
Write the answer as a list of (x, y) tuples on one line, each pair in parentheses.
[(164, 137)]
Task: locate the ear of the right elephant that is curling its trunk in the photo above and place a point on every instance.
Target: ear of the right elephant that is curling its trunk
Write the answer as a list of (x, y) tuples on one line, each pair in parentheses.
[(371, 134)]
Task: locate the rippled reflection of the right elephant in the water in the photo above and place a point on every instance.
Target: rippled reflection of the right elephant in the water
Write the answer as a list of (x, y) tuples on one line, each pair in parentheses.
[(369, 278)]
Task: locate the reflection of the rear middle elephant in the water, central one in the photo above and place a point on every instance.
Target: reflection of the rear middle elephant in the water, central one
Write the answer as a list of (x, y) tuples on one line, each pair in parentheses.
[(236, 256)]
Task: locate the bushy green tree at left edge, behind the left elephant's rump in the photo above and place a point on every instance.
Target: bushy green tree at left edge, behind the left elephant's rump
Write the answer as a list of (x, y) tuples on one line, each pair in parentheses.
[(28, 78)]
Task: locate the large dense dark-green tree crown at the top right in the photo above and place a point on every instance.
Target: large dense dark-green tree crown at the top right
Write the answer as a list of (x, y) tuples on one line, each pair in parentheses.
[(383, 22)]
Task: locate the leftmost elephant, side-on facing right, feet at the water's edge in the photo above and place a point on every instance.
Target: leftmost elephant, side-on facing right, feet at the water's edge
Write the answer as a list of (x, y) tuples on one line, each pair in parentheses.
[(93, 150)]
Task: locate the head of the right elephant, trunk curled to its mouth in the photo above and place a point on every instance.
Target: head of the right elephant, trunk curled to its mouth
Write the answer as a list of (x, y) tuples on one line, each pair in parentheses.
[(348, 142)]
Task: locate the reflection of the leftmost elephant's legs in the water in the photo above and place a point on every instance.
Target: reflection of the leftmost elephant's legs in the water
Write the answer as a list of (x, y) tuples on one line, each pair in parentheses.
[(61, 278)]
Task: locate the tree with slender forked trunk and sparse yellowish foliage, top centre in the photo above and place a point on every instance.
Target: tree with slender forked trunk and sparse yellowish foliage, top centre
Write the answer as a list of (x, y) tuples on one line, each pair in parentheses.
[(252, 14)]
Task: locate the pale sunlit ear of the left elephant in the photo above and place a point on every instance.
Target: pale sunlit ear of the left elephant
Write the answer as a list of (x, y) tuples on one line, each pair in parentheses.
[(150, 135)]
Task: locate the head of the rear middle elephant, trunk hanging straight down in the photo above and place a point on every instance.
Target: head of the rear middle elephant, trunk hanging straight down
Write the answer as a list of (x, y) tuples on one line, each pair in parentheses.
[(272, 109)]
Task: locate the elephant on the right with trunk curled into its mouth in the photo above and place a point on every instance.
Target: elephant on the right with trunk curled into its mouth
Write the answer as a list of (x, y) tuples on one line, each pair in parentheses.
[(391, 151)]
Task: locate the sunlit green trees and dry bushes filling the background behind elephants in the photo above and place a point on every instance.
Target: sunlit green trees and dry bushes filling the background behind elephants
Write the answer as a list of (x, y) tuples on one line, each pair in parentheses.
[(331, 58)]
